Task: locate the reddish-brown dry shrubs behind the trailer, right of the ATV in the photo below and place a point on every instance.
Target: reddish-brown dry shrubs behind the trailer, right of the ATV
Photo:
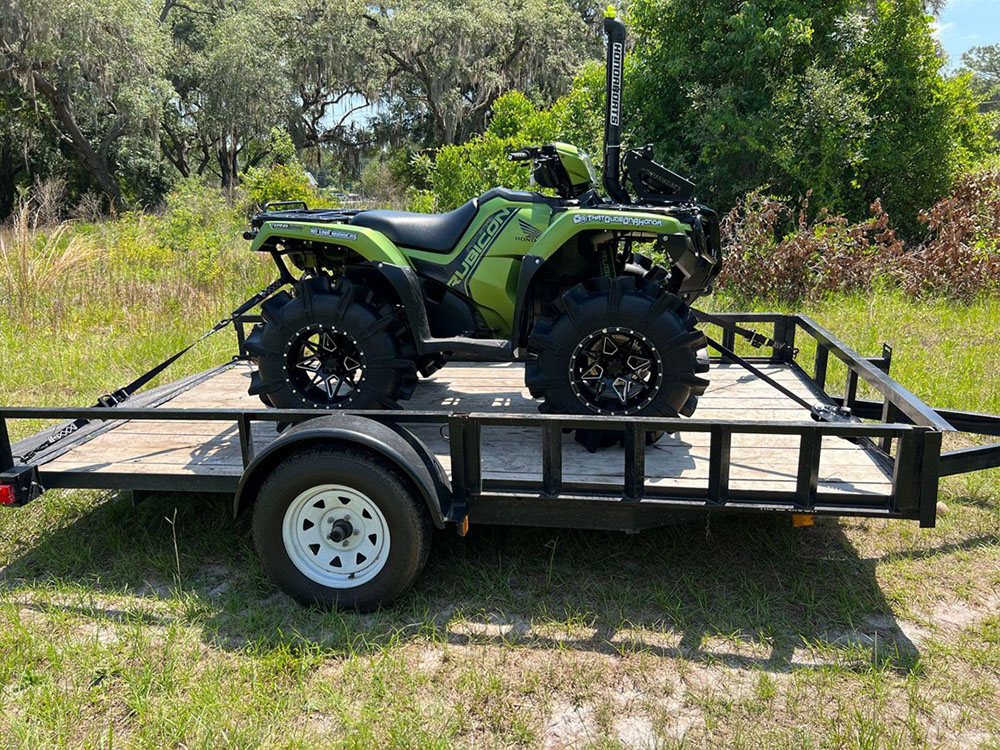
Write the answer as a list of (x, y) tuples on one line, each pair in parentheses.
[(773, 251)]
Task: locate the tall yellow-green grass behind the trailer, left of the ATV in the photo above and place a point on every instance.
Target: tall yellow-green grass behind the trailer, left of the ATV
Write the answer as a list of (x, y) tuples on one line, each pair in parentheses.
[(85, 306)]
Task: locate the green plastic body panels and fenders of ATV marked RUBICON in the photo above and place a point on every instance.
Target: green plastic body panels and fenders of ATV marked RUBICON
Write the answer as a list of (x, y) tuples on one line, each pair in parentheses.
[(493, 263)]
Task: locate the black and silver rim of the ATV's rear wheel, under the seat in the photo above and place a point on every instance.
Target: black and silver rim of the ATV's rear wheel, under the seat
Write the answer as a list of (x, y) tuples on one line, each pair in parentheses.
[(325, 367)]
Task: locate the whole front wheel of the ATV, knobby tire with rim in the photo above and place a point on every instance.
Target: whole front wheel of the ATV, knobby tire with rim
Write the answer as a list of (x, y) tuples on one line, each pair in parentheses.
[(621, 347)]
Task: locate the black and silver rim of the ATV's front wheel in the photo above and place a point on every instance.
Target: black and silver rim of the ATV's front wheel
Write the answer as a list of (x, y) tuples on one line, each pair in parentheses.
[(615, 371)]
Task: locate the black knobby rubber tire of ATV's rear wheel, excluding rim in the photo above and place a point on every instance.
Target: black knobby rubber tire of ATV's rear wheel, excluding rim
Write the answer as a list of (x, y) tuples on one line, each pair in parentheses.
[(380, 332)]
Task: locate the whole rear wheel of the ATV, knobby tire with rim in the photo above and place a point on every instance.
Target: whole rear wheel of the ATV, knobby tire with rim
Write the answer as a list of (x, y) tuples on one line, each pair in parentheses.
[(331, 346)]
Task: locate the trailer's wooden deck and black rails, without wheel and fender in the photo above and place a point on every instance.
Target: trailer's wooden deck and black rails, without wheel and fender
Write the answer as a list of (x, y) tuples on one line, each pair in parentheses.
[(887, 468)]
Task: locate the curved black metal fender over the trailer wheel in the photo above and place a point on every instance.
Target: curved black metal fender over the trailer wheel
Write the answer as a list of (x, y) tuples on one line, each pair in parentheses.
[(395, 444)]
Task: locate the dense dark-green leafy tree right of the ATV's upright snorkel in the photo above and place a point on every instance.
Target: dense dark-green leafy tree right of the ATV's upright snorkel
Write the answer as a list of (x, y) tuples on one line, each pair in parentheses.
[(842, 98)]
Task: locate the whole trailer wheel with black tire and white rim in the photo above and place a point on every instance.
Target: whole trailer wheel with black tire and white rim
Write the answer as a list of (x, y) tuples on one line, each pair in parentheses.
[(337, 528)]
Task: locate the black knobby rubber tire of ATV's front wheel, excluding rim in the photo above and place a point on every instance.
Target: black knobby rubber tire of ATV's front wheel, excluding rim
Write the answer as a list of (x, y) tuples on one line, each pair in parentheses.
[(642, 305)]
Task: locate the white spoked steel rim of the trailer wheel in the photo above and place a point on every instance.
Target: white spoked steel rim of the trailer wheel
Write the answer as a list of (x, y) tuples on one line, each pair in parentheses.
[(336, 536)]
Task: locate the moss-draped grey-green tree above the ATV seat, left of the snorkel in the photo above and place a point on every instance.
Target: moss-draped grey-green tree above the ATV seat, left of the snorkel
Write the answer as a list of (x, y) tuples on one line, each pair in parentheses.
[(450, 61)]
